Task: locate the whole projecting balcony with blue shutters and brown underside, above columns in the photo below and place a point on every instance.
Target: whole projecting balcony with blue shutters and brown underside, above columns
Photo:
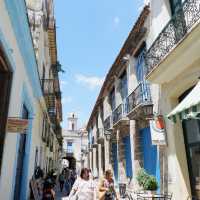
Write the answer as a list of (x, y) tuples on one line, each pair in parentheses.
[(140, 103)]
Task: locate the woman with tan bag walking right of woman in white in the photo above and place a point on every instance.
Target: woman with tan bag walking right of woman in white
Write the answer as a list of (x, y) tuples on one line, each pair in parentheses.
[(106, 187)]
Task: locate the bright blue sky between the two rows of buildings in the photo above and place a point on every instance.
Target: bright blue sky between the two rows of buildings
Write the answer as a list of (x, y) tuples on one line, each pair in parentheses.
[(90, 34)]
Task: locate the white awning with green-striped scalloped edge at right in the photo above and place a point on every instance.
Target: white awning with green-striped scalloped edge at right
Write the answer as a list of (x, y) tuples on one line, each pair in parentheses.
[(189, 107)]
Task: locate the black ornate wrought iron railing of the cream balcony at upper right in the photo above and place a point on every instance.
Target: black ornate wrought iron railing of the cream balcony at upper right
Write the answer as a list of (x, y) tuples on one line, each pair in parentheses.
[(178, 26)]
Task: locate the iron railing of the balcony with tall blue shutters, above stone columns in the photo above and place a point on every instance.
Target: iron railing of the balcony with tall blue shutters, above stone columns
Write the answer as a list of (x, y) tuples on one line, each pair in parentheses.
[(141, 95)]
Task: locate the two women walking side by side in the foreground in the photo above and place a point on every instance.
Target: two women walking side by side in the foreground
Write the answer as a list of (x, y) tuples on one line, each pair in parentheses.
[(85, 187)]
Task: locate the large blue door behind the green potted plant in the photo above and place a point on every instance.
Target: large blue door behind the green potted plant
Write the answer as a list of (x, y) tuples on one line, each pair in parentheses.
[(150, 154)]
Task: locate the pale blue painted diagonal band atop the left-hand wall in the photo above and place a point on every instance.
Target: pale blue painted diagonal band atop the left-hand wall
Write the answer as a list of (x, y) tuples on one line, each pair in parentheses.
[(18, 16)]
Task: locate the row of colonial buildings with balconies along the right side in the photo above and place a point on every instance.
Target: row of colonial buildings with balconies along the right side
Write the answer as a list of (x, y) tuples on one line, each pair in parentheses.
[(157, 67)]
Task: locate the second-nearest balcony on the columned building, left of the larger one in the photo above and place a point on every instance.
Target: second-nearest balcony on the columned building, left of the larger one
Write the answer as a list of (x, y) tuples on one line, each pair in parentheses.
[(119, 114)]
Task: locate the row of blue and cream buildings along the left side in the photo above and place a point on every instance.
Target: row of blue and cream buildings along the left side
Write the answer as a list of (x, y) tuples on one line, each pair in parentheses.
[(29, 90)]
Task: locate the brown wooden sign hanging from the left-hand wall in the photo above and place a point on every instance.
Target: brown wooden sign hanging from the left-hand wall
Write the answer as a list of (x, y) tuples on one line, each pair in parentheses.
[(17, 125)]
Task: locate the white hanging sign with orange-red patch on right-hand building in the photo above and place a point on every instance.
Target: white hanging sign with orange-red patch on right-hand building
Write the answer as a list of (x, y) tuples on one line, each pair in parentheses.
[(158, 133)]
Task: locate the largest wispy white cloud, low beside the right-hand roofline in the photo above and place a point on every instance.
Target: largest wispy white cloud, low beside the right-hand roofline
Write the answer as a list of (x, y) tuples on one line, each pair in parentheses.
[(91, 82)]
